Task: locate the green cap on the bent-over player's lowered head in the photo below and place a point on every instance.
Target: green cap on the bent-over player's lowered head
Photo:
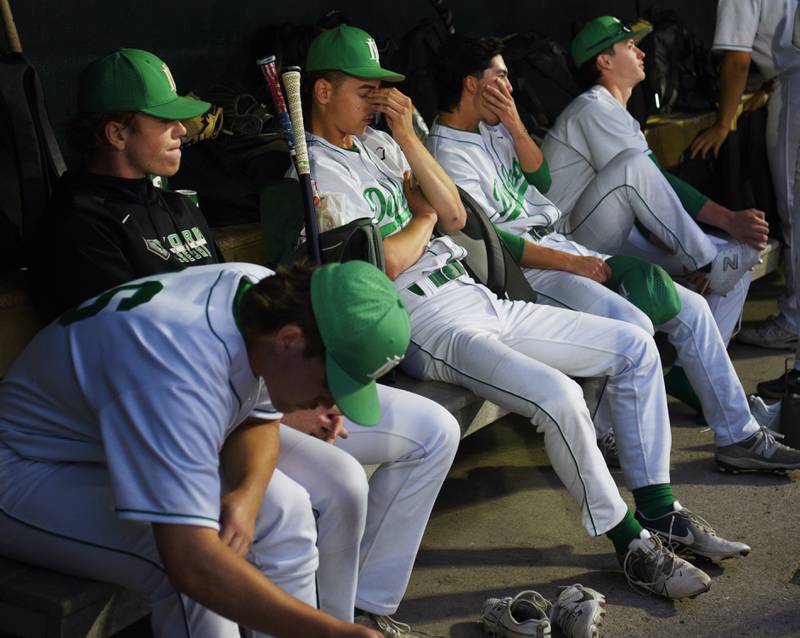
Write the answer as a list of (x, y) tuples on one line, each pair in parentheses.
[(365, 329)]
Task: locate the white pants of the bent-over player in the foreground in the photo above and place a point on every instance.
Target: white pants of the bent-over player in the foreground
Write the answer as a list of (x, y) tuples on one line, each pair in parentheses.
[(61, 516)]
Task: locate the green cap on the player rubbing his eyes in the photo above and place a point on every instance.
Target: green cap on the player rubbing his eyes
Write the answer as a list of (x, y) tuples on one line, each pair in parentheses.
[(349, 50)]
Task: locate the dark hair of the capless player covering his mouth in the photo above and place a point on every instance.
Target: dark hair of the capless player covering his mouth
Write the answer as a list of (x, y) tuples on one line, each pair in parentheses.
[(459, 56)]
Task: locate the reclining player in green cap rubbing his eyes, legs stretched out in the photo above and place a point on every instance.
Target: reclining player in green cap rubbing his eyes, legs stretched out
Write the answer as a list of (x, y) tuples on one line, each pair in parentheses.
[(513, 353)]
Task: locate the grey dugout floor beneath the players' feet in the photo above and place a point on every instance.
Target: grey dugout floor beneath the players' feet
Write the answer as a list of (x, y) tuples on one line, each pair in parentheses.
[(502, 524)]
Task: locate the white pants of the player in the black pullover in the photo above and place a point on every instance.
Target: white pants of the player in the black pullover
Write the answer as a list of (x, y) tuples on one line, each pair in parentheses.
[(369, 534)]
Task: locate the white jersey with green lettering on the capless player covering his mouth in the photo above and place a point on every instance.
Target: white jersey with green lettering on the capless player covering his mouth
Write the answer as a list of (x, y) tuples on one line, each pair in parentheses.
[(484, 163)]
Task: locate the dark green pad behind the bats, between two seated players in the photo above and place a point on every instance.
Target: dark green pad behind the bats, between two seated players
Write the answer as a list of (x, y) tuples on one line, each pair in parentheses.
[(281, 220)]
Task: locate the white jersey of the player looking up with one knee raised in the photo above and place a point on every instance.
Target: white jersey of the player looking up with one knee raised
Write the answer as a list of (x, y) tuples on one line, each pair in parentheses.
[(591, 131)]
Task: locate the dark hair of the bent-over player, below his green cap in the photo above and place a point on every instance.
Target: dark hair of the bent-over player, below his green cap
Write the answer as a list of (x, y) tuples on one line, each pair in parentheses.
[(279, 300)]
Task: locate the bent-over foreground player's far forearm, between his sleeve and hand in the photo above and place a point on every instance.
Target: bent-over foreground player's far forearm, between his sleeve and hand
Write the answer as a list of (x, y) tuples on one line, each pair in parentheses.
[(250, 454)]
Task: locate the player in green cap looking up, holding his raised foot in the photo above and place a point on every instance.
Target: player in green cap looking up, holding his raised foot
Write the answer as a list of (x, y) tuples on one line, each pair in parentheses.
[(605, 178)]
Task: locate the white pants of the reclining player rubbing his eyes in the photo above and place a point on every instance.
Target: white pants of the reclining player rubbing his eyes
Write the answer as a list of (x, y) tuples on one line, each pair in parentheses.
[(519, 354)]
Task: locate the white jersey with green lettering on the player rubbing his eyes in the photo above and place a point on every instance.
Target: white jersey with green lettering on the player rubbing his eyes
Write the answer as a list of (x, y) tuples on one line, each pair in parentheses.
[(370, 177)]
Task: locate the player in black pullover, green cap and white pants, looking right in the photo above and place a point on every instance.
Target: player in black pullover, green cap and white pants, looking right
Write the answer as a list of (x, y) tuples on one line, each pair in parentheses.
[(115, 226)]
